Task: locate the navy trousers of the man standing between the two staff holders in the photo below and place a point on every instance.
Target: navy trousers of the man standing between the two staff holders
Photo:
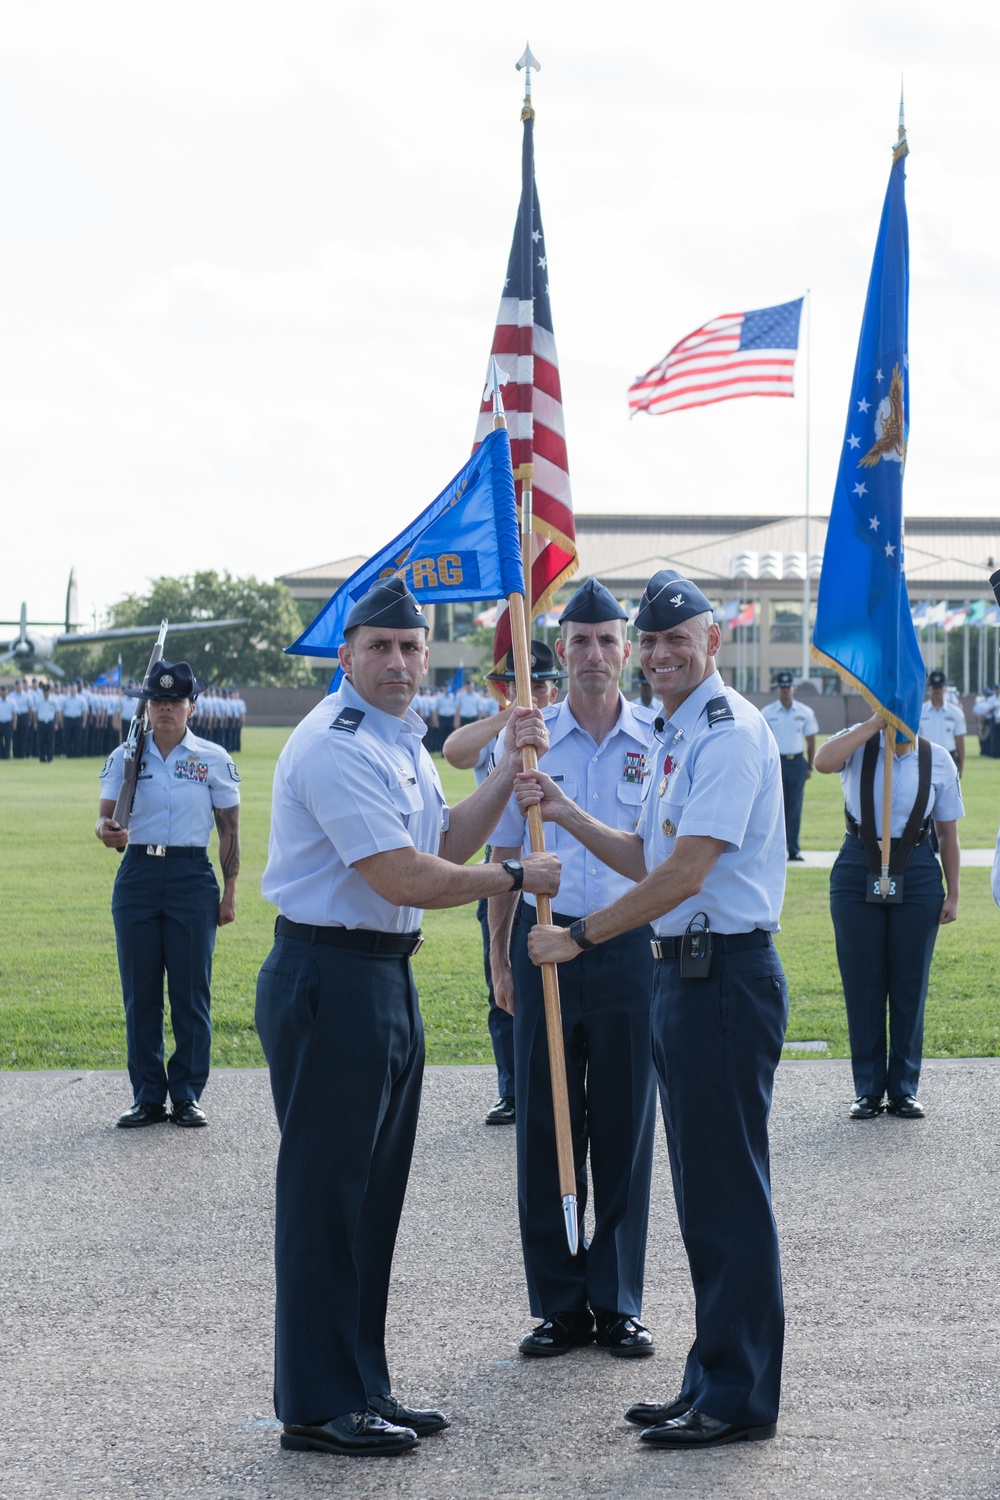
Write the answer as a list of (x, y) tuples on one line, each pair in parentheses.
[(605, 998)]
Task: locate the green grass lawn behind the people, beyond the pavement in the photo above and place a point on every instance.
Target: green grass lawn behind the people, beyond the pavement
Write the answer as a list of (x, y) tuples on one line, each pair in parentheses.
[(61, 1004)]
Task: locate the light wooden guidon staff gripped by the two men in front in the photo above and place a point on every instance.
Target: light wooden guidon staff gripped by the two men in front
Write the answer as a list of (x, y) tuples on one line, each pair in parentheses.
[(549, 973)]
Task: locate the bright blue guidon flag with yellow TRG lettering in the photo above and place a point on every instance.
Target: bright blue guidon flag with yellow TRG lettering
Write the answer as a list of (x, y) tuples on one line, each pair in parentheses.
[(464, 547)]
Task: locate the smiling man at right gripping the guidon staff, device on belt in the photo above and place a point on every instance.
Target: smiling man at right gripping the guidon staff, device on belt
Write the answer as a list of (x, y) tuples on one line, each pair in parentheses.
[(710, 863)]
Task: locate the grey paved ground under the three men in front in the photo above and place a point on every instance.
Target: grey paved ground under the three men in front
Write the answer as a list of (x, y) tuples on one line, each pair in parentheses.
[(137, 1301)]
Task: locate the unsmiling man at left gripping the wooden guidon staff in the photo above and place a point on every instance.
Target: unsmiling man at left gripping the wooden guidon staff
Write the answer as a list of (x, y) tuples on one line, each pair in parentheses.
[(362, 841)]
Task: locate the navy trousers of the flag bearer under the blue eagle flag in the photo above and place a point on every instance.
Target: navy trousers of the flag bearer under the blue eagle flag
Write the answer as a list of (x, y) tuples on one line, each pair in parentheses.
[(885, 961)]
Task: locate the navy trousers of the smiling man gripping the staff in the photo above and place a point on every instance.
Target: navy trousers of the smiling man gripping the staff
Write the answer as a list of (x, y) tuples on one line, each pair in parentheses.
[(717, 1043)]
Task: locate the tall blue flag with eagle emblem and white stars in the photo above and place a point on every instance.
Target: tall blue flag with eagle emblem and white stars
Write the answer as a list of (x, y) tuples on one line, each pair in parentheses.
[(864, 628)]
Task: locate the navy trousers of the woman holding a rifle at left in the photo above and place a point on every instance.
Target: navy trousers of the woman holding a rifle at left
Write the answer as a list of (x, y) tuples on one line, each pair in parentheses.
[(166, 922)]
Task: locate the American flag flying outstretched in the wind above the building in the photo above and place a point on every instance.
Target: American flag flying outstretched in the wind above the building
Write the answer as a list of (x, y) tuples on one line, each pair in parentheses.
[(738, 355)]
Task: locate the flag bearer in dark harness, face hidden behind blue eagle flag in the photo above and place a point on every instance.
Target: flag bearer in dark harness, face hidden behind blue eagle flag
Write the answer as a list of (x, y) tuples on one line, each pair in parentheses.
[(885, 947)]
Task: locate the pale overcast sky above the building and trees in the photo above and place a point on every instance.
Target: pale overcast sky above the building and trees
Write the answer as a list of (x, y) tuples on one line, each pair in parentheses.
[(253, 259)]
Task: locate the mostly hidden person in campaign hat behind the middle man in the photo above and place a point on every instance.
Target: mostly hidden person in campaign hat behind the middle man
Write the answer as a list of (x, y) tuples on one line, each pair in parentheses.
[(472, 748)]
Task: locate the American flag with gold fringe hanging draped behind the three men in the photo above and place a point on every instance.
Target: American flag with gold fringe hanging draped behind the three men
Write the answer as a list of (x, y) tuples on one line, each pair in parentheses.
[(525, 349)]
